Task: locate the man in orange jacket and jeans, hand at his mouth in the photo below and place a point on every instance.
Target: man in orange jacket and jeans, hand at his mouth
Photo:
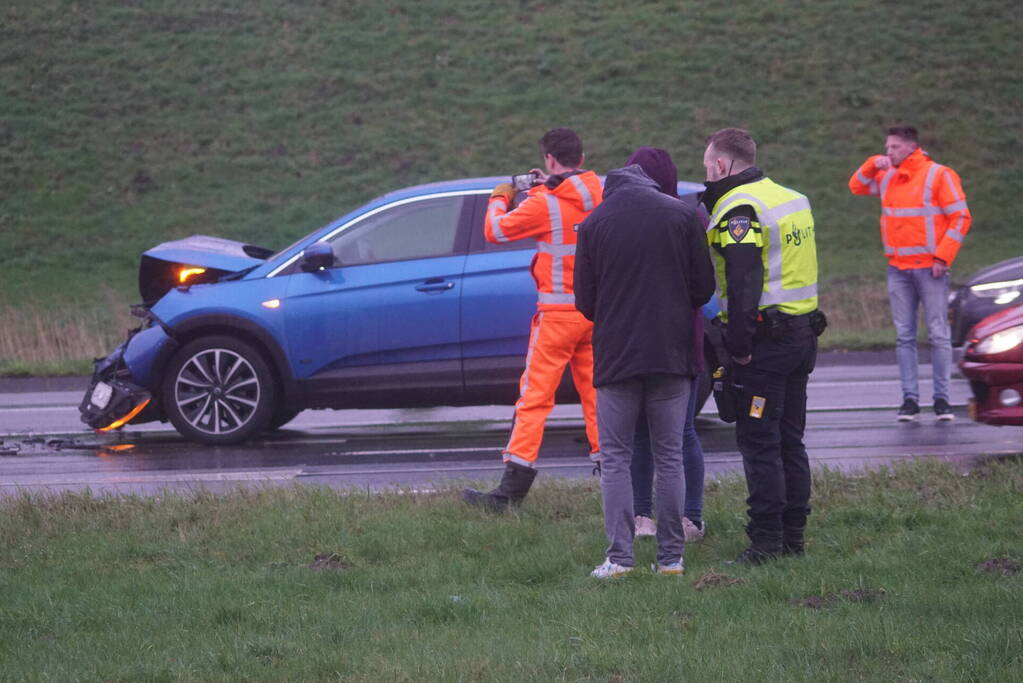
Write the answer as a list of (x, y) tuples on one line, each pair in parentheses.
[(924, 218)]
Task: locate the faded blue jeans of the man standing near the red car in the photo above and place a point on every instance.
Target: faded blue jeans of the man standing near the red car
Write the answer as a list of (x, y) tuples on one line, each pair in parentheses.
[(907, 291)]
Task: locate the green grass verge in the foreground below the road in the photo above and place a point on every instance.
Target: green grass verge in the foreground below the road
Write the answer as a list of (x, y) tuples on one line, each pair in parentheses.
[(418, 587)]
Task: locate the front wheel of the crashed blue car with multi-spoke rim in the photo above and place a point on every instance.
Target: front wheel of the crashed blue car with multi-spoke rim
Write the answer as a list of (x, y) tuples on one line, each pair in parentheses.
[(219, 390)]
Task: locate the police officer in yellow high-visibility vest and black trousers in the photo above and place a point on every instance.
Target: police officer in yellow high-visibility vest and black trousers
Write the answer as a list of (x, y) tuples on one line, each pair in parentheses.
[(766, 252)]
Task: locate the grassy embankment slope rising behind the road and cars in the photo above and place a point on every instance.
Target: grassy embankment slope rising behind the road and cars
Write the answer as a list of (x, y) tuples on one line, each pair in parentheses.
[(125, 125)]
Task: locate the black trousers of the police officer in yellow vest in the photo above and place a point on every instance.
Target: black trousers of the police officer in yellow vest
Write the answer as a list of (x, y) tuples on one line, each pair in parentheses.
[(770, 430)]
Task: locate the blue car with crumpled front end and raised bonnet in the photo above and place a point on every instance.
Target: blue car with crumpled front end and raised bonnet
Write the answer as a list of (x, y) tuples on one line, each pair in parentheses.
[(402, 303)]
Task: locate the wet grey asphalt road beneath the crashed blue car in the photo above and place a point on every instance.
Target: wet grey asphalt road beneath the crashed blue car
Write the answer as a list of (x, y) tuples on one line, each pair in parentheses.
[(851, 427)]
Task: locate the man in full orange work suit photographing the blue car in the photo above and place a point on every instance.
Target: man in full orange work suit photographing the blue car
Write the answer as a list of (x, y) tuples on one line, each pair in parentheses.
[(560, 335)]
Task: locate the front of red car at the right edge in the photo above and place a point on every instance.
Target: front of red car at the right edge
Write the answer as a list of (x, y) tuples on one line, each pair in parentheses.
[(993, 362)]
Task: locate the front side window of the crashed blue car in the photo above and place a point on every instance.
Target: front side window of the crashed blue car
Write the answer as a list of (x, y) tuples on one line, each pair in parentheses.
[(415, 231)]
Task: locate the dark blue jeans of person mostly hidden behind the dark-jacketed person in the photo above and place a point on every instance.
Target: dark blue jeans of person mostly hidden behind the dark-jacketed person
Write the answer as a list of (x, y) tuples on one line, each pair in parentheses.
[(643, 467)]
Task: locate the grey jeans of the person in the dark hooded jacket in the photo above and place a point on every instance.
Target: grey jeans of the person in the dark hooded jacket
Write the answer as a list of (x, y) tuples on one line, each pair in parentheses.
[(664, 397)]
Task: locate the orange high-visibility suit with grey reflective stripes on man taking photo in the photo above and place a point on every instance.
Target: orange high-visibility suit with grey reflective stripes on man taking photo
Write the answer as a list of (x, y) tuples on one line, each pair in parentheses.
[(560, 335)]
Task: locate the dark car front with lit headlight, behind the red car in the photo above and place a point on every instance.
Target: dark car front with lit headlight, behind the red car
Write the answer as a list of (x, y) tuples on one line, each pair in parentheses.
[(989, 291)]
